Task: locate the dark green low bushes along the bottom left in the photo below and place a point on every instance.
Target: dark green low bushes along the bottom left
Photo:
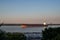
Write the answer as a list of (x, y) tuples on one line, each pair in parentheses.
[(11, 36)]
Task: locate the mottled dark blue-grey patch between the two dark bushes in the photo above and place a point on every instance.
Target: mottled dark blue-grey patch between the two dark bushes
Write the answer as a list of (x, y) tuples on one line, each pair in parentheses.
[(33, 35)]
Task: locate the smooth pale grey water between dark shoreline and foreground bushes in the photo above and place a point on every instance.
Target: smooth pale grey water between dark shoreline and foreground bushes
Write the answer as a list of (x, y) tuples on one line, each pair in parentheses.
[(20, 29)]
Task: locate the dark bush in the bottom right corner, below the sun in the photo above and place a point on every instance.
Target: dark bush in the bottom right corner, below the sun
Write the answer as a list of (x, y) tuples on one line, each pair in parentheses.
[(51, 34)]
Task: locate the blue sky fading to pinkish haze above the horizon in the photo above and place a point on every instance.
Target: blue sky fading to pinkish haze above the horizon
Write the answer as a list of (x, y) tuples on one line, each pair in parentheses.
[(30, 11)]
